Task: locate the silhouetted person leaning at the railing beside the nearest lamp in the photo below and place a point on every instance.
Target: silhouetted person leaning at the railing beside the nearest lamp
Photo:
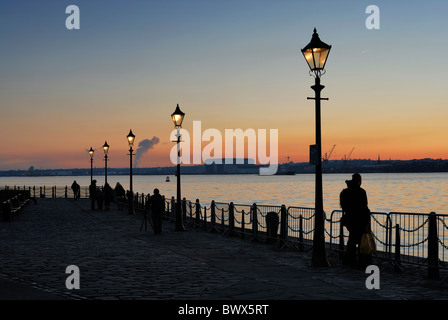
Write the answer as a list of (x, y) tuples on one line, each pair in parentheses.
[(356, 219)]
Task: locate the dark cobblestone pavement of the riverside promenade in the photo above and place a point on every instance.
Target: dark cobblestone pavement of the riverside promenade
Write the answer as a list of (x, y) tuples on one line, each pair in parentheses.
[(119, 261)]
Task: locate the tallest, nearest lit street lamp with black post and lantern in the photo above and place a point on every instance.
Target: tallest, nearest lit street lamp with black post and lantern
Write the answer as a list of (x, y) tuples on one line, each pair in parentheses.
[(316, 54)]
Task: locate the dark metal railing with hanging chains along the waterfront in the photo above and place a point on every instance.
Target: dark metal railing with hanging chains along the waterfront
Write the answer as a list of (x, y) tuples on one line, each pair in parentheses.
[(402, 238)]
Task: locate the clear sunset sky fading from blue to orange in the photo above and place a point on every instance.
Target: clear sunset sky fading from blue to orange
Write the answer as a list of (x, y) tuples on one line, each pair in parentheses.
[(229, 64)]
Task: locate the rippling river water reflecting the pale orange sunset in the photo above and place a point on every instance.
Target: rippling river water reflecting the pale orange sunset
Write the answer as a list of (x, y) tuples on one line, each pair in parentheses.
[(404, 192)]
